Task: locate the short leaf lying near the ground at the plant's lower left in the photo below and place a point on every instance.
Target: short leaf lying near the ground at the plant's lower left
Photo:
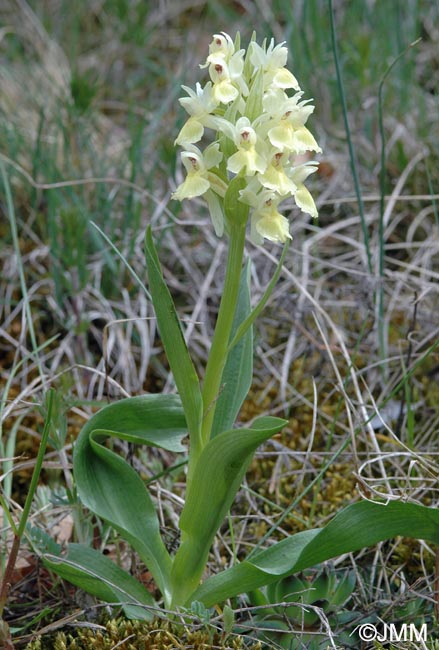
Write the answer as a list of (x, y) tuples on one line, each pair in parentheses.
[(98, 575)]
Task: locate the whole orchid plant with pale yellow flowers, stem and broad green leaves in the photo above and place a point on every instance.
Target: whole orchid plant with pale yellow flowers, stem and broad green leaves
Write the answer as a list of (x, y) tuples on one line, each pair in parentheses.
[(250, 117)]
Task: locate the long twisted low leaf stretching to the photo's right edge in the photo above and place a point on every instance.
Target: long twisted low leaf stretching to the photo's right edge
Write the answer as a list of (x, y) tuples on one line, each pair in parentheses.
[(357, 526)]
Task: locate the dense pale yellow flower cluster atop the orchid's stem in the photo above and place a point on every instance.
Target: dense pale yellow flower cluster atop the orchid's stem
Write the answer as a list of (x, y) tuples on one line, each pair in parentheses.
[(260, 134)]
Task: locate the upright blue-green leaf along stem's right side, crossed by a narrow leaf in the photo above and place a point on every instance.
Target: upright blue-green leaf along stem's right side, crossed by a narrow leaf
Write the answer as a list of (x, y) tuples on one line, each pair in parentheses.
[(238, 371)]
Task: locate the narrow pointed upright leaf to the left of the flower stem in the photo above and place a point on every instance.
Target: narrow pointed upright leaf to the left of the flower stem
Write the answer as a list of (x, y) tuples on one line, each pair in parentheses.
[(176, 350)]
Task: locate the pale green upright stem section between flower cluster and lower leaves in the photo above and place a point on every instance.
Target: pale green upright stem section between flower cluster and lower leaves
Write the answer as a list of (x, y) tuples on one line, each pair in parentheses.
[(218, 351)]
